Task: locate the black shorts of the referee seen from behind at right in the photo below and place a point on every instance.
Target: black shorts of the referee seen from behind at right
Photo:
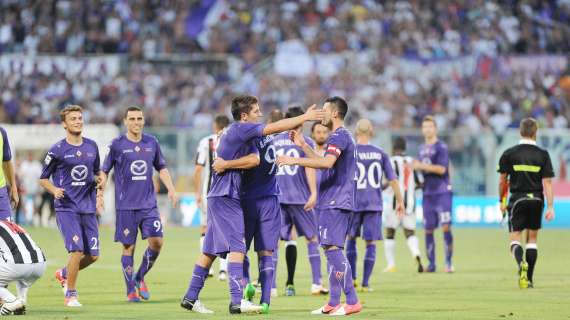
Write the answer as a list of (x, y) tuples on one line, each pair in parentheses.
[(525, 211)]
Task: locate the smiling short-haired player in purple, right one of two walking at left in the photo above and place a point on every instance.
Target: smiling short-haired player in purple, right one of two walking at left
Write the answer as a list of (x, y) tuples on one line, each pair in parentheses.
[(134, 155)]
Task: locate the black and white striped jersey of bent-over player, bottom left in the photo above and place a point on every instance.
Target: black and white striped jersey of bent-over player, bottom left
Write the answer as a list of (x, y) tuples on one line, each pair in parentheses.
[(17, 246)]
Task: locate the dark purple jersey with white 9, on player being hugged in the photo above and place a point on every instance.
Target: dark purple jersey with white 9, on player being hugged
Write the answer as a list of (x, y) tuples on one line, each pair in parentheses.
[(261, 181)]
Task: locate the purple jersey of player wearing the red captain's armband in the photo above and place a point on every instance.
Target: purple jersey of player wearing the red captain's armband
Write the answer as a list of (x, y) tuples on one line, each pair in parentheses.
[(336, 190)]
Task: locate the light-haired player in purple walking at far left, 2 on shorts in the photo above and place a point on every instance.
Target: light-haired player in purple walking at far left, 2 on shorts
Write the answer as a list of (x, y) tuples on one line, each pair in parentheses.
[(73, 166)]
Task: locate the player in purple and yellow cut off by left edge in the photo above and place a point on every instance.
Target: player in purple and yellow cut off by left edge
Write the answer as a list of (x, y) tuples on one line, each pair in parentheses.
[(7, 176)]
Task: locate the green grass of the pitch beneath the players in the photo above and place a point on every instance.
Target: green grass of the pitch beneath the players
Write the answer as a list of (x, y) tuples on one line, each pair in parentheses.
[(483, 287)]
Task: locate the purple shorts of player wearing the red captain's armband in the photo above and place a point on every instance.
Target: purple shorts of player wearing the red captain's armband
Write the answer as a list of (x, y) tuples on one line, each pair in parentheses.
[(333, 226)]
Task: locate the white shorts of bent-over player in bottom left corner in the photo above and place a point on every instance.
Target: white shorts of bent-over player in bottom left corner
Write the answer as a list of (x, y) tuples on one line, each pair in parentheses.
[(25, 274)]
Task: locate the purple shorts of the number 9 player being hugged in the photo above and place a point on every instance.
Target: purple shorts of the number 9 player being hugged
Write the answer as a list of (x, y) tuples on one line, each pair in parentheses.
[(262, 222)]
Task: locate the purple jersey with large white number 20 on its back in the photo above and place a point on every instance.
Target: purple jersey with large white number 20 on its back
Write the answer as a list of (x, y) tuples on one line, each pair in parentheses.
[(372, 164)]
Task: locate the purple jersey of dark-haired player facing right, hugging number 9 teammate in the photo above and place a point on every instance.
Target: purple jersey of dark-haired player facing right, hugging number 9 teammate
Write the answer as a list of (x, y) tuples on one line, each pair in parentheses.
[(234, 143)]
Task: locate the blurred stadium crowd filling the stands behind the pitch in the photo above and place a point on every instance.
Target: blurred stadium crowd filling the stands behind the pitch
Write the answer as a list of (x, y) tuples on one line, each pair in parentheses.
[(252, 30)]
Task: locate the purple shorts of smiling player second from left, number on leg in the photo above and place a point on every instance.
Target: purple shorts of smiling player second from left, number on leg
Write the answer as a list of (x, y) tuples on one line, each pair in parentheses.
[(128, 222)]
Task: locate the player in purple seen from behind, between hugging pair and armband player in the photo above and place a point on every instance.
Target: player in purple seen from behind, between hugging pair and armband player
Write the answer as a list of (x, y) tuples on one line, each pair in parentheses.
[(298, 198)]
